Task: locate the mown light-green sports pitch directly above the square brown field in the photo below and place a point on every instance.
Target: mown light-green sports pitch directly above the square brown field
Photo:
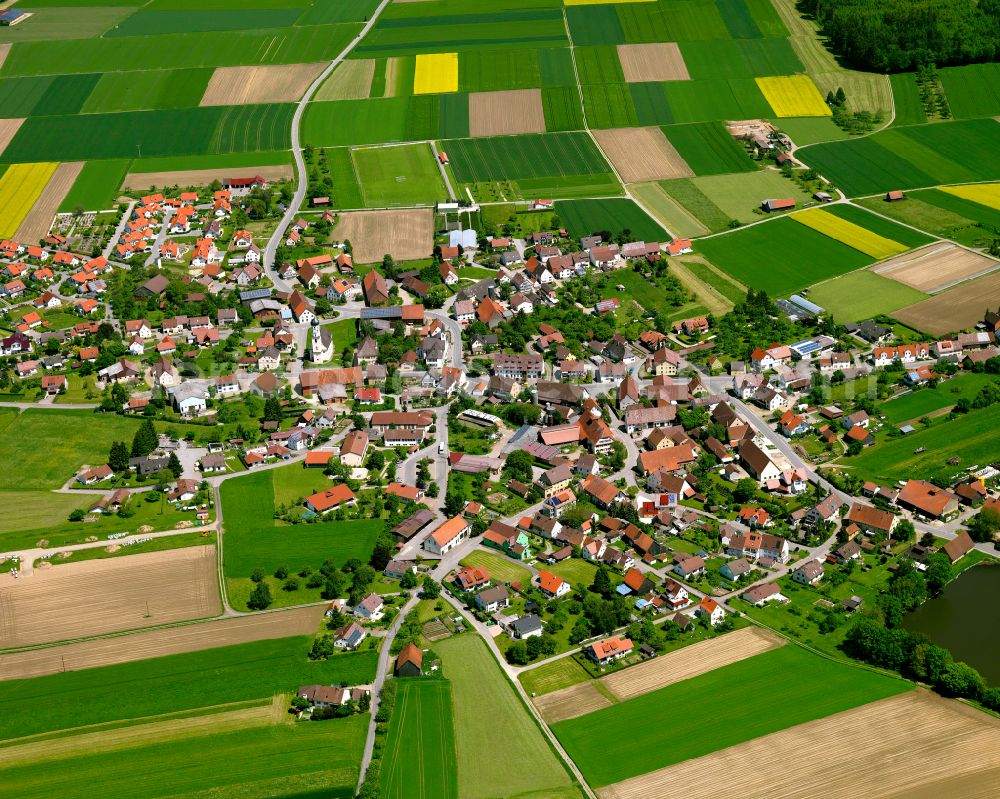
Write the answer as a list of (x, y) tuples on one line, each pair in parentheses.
[(406, 175)]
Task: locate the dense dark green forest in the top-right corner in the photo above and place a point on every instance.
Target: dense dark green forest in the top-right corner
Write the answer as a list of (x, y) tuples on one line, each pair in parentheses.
[(898, 35)]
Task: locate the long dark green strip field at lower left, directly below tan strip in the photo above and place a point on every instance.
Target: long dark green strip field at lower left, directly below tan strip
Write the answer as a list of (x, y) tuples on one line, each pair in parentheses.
[(173, 683)]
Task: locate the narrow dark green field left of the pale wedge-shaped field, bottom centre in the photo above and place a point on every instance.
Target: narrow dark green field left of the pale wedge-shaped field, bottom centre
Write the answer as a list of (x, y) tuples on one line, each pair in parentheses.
[(419, 758)]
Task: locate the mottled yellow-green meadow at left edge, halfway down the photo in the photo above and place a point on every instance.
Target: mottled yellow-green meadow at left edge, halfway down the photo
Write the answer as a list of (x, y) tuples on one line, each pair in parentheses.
[(49, 446)]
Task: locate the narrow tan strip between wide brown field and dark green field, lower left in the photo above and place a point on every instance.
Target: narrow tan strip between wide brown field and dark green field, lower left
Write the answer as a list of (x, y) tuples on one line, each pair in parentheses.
[(157, 643)]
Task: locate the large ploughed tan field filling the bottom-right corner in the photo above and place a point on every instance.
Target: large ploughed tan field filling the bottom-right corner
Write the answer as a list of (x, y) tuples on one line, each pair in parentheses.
[(912, 745)]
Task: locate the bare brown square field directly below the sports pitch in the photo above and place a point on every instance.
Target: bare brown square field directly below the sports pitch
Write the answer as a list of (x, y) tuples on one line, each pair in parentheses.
[(405, 235)]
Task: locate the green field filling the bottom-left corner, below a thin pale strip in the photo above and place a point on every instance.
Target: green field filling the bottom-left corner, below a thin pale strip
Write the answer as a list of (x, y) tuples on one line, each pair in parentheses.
[(283, 760)]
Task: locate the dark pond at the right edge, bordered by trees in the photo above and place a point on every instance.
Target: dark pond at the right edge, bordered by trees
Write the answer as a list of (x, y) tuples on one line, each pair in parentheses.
[(966, 619)]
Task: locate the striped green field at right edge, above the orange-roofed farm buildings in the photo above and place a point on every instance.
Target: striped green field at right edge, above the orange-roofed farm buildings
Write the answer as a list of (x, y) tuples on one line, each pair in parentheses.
[(973, 438)]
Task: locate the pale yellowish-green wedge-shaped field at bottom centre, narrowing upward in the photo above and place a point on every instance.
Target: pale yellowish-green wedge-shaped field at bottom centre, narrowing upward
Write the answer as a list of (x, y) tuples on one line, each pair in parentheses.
[(491, 717)]
